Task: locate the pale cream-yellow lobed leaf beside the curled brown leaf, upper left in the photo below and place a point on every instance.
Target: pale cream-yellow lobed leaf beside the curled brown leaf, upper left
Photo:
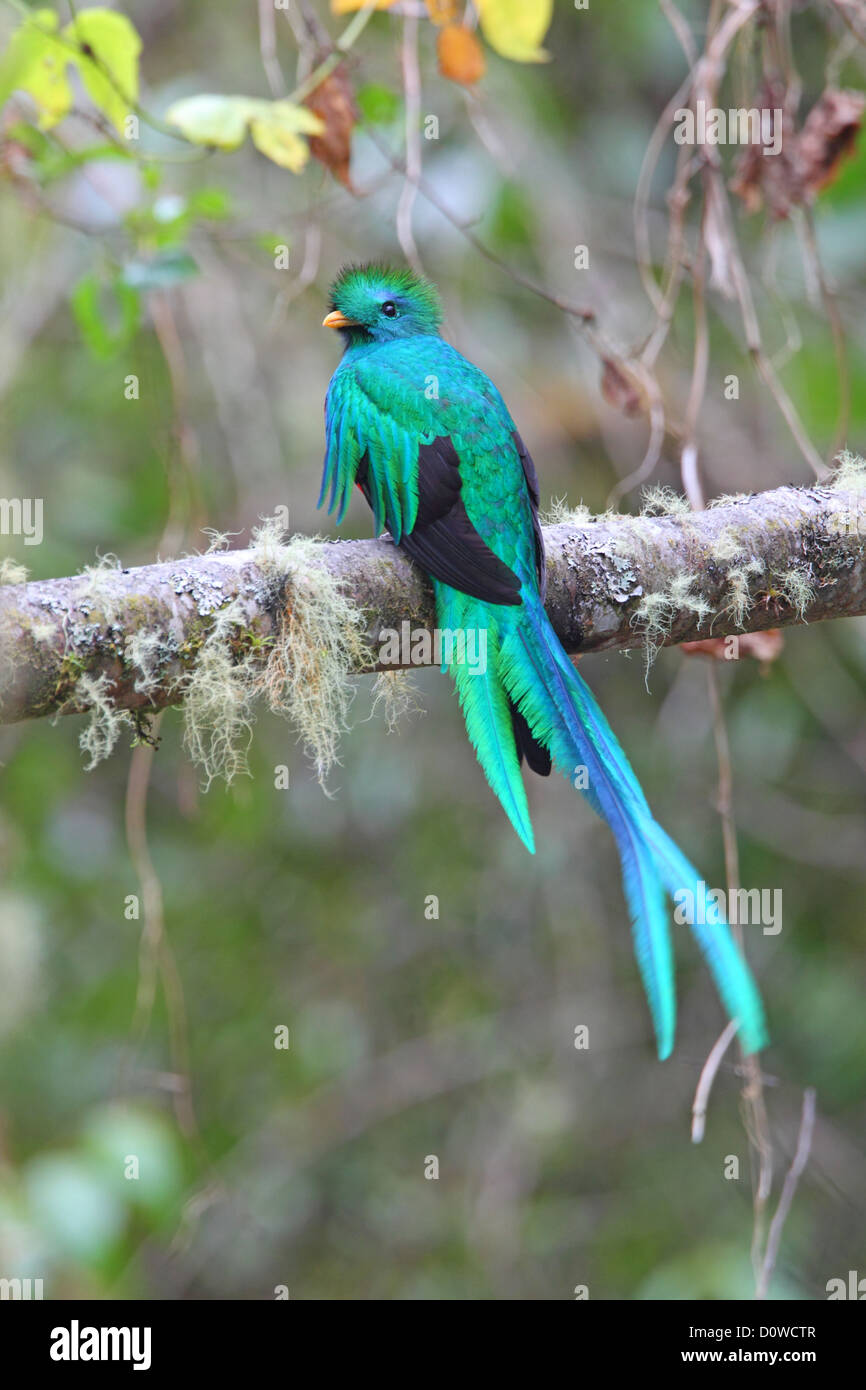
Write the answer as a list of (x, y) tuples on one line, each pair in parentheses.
[(223, 122)]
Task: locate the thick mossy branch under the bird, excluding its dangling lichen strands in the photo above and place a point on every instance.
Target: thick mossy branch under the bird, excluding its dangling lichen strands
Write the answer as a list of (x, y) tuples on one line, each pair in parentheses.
[(793, 555)]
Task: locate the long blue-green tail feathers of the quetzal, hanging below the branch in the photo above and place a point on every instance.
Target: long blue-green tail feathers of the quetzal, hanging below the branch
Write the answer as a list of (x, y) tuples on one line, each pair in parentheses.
[(529, 667)]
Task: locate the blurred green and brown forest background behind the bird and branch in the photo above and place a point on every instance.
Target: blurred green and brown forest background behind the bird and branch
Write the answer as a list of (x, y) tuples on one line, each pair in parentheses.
[(416, 1038)]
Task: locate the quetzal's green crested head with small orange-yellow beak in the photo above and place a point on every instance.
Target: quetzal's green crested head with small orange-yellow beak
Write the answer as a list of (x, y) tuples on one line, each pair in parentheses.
[(379, 305)]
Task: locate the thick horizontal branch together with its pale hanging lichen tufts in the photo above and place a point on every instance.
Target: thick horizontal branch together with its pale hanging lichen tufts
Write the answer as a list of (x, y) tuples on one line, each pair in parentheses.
[(294, 623)]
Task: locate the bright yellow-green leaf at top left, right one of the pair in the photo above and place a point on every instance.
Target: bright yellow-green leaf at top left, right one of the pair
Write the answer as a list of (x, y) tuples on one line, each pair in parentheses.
[(108, 60)]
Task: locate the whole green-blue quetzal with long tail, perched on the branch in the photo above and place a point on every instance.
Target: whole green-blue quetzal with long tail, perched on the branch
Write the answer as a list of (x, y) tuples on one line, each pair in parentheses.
[(430, 443)]
